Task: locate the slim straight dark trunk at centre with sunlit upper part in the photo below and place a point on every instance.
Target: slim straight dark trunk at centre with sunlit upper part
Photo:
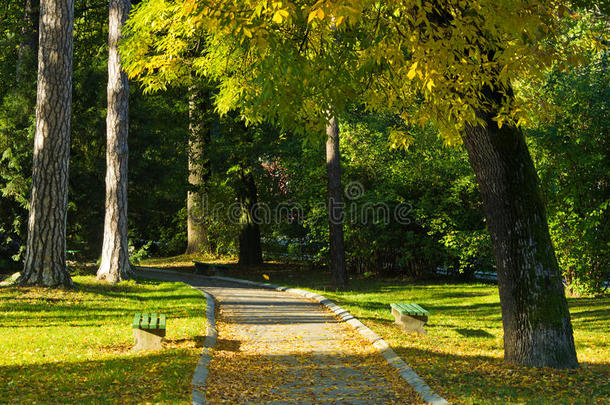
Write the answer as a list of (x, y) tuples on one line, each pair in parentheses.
[(335, 206)]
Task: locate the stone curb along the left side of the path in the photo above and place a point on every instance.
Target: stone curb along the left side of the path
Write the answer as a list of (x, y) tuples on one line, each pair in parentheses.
[(201, 371)]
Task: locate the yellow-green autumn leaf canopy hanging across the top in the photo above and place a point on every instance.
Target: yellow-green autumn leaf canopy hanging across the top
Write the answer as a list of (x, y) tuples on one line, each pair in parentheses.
[(298, 61)]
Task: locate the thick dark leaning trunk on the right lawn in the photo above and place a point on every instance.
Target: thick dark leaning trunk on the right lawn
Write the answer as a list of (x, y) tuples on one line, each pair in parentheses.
[(537, 327)]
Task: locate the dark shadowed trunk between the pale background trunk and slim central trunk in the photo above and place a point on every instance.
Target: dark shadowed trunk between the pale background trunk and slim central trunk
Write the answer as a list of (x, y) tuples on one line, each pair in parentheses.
[(250, 251)]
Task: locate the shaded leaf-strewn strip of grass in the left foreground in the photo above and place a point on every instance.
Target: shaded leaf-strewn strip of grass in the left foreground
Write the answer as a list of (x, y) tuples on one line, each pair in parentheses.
[(155, 377)]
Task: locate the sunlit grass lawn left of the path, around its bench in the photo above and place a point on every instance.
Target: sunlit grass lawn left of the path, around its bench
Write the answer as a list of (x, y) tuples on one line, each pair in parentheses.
[(74, 346)]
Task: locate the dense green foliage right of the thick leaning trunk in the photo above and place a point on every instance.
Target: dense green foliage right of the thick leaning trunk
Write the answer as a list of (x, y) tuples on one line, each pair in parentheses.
[(570, 143)]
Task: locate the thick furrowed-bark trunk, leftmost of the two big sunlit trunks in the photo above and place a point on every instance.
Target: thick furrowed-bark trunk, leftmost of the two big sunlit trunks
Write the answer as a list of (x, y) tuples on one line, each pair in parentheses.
[(45, 255)]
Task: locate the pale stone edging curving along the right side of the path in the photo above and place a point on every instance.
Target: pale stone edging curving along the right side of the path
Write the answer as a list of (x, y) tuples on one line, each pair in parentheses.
[(406, 372)]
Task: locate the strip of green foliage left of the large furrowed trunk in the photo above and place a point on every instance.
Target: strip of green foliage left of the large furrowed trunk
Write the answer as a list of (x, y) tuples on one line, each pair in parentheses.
[(18, 72)]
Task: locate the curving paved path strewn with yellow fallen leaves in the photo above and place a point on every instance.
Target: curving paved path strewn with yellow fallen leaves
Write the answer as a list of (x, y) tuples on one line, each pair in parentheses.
[(279, 348)]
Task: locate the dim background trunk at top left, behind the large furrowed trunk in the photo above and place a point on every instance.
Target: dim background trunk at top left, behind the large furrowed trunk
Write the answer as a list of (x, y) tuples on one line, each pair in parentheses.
[(28, 45)]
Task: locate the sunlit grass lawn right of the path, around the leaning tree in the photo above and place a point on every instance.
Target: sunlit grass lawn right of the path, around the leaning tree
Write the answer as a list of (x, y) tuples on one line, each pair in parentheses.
[(461, 357)]
